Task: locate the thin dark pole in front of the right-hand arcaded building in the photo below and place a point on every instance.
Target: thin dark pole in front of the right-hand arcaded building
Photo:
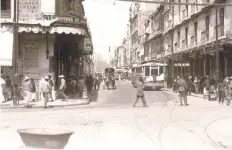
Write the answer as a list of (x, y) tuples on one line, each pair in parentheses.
[(217, 50)]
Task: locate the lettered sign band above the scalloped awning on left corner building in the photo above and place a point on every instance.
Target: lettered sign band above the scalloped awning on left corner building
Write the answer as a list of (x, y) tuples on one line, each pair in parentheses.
[(66, 19)]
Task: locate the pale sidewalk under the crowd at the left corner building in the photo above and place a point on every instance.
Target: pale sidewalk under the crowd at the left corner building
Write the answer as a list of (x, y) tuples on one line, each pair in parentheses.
[(40, 103)]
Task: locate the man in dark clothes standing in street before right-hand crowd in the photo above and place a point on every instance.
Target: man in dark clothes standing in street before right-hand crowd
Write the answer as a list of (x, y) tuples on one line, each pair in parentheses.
[(183, 89)]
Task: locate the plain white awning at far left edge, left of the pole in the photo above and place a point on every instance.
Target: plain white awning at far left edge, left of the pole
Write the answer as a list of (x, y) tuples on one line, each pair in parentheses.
[(6, 42)]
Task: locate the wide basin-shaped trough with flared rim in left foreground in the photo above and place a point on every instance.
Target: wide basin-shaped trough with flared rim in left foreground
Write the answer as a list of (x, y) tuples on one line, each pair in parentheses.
[(45, 138)]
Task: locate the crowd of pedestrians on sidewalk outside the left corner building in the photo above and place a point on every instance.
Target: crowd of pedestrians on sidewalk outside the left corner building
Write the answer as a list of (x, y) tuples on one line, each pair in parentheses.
[(46, 88)]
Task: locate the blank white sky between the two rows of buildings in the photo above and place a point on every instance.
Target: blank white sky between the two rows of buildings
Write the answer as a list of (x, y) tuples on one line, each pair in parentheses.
[(108, 24)]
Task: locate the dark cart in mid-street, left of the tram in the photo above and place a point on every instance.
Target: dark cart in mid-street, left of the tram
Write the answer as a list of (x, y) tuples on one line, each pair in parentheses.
[(109, 79)]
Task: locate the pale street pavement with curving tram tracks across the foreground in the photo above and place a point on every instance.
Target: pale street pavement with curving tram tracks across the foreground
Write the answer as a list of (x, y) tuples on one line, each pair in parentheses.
[(110, 122)]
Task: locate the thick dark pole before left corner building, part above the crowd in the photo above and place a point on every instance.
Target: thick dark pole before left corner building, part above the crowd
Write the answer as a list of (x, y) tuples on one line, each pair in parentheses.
[(15, 36)]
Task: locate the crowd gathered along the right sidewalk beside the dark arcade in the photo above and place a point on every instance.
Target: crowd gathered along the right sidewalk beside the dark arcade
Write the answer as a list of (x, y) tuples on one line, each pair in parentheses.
[(207, 87)]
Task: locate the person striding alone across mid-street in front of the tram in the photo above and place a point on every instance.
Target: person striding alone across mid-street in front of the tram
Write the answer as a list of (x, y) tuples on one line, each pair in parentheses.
[(140, 92)]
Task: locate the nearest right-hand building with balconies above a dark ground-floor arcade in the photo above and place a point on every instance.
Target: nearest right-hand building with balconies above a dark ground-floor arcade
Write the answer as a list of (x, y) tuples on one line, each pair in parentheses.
[(190, 38)]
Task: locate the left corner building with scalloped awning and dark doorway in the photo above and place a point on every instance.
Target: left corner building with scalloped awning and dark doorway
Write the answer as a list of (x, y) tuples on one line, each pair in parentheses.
[(52, 38)]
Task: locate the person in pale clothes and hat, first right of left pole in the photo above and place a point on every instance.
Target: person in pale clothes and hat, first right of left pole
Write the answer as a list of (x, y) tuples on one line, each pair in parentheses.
[(27, 88)]
